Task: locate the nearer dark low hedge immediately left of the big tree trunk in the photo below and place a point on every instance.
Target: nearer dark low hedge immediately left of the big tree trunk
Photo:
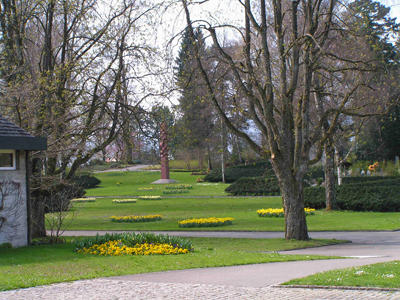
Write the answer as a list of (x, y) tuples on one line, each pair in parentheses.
[(254, 186)]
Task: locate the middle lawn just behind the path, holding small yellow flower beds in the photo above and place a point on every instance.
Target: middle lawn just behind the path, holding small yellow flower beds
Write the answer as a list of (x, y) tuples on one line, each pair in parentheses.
[(95, 215)]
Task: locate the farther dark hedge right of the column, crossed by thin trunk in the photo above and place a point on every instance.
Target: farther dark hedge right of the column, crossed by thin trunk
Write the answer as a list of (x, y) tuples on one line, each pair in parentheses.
[(234, 173)]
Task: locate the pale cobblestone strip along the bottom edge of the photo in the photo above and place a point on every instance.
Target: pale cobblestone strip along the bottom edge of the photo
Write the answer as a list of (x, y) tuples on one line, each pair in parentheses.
[(109, 289)]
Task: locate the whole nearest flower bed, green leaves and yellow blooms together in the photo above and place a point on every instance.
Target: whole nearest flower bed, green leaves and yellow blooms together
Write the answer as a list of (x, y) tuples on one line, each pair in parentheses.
[(133, 244)]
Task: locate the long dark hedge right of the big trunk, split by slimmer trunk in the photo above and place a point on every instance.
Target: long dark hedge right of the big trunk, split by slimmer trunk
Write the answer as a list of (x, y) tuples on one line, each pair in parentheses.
[(357, 197)]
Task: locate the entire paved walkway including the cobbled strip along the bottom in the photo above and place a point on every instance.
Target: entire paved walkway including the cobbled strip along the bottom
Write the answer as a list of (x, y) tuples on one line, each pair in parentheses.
[(236, 282)]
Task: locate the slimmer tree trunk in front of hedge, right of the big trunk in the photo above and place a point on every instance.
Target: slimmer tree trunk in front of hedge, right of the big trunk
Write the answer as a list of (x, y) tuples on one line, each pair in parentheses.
[(330, 180)]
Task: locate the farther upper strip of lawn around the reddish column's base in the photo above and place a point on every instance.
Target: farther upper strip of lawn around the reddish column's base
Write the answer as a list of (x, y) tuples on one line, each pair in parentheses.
[(129, 183)]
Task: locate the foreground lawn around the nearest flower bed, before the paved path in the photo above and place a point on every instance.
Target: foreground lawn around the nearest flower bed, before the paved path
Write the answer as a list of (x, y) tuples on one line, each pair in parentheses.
[(45, 264)]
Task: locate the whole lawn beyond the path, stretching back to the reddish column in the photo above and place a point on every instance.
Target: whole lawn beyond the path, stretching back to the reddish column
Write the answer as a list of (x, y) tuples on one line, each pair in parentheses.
[(95, 216)]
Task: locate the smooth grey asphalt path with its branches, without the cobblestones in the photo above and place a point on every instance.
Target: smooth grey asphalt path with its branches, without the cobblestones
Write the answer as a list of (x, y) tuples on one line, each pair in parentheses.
[(365, 248)]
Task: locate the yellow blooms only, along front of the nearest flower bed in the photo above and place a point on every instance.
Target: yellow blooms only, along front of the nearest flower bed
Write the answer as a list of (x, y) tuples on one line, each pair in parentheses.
[(117, 248)]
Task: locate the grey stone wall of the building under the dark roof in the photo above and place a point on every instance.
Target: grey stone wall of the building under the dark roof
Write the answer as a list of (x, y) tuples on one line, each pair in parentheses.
[(13, 210)]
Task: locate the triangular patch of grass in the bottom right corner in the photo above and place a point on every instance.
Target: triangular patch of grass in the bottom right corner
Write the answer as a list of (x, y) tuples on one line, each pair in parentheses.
[(384, 275)]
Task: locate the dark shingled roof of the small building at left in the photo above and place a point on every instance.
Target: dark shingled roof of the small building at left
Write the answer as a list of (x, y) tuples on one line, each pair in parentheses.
[(15, 138)]
